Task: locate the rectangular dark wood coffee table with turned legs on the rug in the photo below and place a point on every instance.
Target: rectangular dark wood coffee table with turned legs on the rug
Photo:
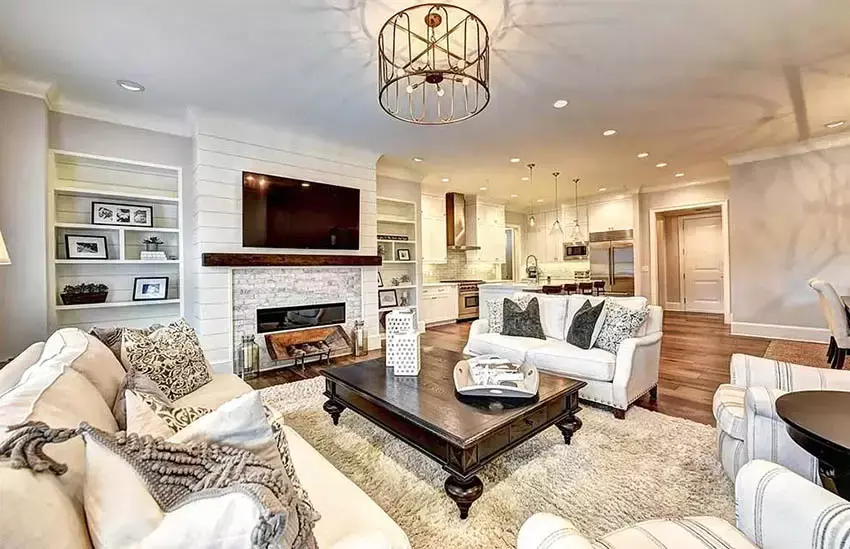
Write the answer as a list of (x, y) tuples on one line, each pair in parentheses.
[(462, 436)]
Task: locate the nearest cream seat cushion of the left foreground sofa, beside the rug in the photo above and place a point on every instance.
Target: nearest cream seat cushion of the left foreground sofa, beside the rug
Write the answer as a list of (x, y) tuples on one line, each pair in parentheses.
[(347, 512)]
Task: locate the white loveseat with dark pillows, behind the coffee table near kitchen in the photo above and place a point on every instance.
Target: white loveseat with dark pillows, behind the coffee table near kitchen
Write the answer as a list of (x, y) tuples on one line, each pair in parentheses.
[(612, 380)]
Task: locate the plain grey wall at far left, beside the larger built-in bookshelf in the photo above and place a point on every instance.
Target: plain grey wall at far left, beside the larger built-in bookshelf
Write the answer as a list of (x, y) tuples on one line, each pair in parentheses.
[(23, 210)]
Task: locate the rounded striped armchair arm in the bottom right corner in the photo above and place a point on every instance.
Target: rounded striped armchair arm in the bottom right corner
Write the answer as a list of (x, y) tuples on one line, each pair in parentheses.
[(777, 509)]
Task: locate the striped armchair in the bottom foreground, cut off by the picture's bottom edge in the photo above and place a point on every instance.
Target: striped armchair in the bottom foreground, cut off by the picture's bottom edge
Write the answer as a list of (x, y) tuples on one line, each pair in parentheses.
[(775, 509)]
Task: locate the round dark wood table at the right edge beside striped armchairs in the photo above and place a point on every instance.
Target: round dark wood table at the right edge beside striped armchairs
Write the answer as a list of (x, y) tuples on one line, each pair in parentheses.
[(819, 421)]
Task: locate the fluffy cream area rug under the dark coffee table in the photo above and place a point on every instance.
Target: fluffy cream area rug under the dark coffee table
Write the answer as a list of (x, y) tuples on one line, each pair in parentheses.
[(615, 473)]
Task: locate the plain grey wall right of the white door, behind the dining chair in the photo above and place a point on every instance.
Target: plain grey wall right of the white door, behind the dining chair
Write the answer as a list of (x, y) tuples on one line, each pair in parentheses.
[(789, 221)]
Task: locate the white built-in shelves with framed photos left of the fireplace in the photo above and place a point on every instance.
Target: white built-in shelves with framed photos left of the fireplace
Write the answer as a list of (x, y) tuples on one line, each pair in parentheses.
[(76, 181)]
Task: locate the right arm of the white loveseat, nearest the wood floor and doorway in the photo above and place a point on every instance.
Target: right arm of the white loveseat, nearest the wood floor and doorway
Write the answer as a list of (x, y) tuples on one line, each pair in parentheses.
[(636, 369)]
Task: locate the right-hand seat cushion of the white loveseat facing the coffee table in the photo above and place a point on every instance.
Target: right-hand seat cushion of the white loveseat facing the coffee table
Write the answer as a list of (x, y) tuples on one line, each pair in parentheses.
[(560, 357)]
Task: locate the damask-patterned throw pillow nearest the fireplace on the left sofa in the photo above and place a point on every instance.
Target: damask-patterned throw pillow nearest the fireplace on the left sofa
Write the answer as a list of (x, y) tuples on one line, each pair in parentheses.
[(171, 356)]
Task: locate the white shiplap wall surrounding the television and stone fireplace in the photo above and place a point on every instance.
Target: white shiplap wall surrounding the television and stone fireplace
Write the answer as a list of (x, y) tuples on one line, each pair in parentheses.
[(224, 148)]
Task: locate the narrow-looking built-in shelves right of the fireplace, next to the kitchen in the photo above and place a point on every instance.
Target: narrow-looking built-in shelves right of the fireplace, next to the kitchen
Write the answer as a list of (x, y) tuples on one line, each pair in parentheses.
[(399, 219)]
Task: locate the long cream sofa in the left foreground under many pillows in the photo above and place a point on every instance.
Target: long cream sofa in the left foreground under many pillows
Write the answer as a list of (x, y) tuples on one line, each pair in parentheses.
[(42, 510)]
